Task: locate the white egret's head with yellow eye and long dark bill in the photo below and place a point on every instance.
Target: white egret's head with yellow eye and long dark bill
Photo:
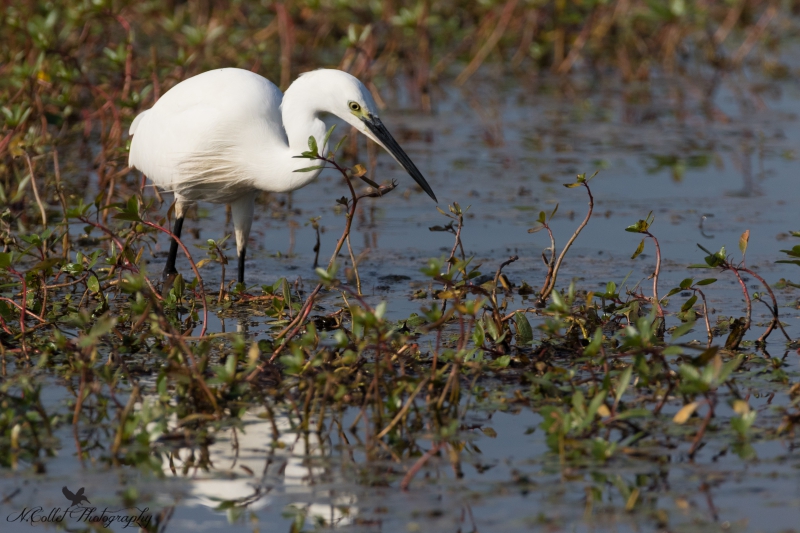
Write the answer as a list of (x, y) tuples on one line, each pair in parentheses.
[(347, 98)]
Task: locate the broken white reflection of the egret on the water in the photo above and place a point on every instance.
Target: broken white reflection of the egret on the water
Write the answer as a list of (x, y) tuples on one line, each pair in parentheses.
[(250, 468)]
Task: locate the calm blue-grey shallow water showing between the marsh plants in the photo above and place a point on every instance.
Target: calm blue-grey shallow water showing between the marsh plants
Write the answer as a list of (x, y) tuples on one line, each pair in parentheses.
[(683, 148)]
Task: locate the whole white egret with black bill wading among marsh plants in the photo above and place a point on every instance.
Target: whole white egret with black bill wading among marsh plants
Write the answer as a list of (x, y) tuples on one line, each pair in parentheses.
[(222, 135)]
